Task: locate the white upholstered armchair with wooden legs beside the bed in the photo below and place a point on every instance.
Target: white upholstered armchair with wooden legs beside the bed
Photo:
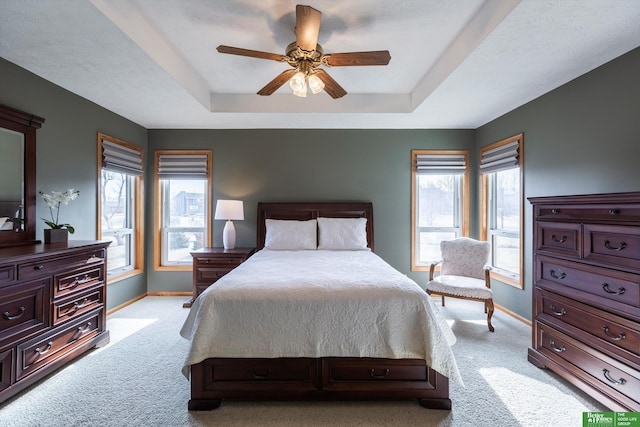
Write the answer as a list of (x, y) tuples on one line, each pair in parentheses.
[(464, 273)]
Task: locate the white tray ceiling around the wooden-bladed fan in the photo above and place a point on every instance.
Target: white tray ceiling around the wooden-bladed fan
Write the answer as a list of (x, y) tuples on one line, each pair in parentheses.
[(454, 63)]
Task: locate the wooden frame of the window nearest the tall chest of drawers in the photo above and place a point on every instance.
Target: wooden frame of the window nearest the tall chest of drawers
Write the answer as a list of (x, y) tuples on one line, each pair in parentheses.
[(505, 276)]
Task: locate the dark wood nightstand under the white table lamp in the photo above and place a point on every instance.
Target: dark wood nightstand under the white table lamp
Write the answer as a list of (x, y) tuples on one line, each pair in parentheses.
[(210, 264)]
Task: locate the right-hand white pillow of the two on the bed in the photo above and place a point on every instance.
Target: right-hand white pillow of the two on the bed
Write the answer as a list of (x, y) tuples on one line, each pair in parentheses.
[(344, 234)]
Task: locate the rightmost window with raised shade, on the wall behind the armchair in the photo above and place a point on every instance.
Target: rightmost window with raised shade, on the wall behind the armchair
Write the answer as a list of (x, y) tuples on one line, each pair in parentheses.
[(502, 207)]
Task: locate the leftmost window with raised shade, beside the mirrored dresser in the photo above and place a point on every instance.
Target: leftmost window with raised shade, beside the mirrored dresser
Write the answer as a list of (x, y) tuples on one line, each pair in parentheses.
[(120, 205)]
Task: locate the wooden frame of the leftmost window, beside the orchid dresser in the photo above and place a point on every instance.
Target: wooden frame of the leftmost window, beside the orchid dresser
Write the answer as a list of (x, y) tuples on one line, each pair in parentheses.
[(137, 238)]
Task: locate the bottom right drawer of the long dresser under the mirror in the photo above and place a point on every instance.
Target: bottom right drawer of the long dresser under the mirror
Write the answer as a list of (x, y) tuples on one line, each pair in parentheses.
[(34, 354)]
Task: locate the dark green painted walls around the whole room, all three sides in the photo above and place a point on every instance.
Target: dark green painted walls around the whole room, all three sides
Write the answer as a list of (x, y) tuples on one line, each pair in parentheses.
[(580, 138)]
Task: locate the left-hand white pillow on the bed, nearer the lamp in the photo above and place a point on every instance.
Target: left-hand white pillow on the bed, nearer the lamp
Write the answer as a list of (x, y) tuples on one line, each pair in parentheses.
[(291, 235)]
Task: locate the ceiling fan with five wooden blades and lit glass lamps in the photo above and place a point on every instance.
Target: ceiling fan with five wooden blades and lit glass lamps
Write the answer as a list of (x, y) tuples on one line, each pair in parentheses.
[(306, 56)]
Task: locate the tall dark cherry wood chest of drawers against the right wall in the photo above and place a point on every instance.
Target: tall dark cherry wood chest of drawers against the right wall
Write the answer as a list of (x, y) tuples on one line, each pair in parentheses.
[(586, 300)]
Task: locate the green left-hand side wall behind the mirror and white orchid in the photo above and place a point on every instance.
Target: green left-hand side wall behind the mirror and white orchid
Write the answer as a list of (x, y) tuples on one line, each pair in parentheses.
[(67, 154)]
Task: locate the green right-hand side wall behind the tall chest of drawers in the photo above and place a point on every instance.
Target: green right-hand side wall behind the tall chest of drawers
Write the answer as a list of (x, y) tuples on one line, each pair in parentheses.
[(581, 138)]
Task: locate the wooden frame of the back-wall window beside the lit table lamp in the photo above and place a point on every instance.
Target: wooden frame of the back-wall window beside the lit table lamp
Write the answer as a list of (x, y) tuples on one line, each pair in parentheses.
[(159, 235)]
